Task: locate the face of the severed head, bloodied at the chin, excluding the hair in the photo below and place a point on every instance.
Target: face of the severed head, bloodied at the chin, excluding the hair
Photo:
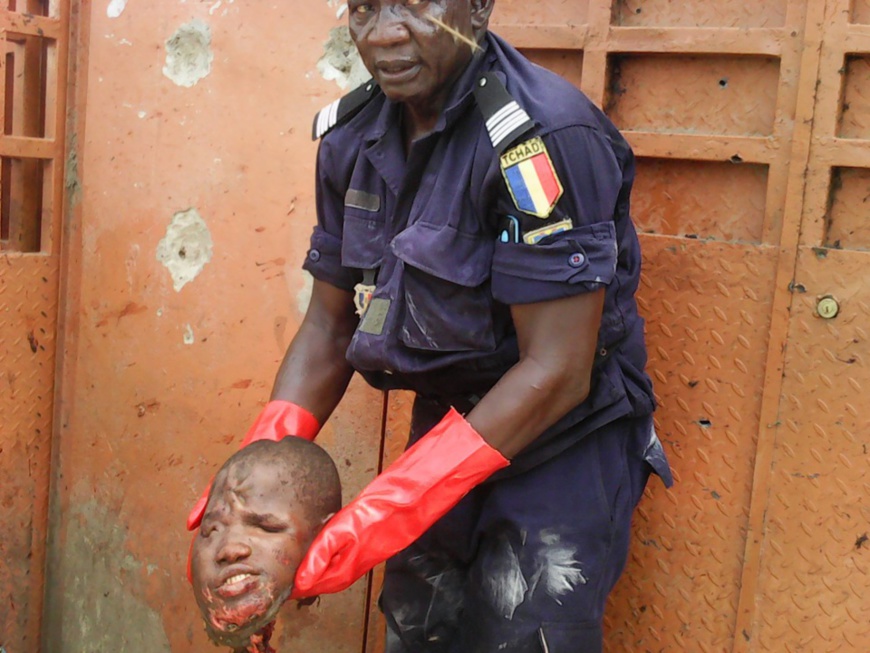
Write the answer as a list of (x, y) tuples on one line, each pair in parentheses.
[(252, 538)]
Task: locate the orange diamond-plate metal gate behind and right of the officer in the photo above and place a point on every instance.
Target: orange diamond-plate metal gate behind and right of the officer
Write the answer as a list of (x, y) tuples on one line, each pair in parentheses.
[(752, 199)]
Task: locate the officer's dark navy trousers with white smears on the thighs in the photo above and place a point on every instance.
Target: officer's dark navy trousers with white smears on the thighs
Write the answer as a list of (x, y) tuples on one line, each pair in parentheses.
[(522, 564)]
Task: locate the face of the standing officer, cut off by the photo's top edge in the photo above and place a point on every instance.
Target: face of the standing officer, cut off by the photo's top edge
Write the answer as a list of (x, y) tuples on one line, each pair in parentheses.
[(410, 56)]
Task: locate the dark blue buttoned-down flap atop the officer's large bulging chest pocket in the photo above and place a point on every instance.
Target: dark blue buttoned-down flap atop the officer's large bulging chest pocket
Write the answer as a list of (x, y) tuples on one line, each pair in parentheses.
[(445, 253)]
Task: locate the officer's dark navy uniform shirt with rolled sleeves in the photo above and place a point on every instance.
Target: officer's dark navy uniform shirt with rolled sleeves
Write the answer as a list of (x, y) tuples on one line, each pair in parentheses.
[(453, 244)]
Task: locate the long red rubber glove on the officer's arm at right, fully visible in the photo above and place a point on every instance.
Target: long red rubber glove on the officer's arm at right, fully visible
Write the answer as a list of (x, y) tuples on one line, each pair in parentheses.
[(398, 506)]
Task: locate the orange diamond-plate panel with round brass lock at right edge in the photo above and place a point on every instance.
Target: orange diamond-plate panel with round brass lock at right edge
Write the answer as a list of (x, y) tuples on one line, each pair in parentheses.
[(815, 573)]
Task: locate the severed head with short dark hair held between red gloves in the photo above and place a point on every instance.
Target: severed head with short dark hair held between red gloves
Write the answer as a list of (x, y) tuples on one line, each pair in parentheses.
[(262, 514)]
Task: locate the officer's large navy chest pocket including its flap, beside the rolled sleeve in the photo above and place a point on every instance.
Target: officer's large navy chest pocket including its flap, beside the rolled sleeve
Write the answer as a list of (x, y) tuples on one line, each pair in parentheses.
[(447, 299)]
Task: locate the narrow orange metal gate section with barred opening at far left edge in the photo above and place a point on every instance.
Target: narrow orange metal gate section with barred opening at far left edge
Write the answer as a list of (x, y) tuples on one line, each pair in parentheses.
[(32, 89)]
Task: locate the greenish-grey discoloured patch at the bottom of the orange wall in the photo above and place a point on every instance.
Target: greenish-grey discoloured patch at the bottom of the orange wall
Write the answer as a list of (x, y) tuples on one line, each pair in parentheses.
[(101, 609)]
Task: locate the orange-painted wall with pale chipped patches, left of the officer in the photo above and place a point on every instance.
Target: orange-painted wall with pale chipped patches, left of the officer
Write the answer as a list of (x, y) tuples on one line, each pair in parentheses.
[(194, 203)]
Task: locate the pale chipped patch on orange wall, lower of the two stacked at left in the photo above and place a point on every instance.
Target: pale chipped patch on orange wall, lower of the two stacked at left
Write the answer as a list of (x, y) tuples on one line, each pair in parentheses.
[(186, 248)]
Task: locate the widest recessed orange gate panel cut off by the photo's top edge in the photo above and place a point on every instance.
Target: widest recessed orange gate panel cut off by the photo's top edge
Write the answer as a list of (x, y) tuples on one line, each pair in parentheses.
[(699, 13)]
